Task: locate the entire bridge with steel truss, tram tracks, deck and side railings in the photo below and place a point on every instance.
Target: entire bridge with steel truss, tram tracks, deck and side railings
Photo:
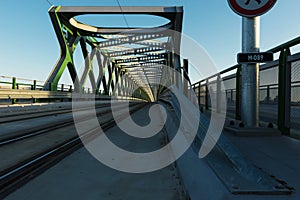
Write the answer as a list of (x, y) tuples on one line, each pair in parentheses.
[(131, 125)]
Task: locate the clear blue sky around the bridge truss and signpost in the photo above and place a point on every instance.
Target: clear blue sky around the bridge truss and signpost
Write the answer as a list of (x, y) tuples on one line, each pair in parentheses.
[(29, 48)]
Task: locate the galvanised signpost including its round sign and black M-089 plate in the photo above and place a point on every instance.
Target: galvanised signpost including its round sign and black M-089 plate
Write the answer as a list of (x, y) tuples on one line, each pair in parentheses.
[(251, 10)]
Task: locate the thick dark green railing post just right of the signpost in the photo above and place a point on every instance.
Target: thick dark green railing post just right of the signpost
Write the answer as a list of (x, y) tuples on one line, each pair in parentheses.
[(284, 92)]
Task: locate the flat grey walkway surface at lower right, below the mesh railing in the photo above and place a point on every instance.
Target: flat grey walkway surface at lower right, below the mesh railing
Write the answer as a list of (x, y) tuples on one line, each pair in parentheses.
[(276, 155)]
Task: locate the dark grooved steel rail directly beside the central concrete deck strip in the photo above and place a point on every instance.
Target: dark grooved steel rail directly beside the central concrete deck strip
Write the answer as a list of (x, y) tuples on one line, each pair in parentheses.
[(18, 175)]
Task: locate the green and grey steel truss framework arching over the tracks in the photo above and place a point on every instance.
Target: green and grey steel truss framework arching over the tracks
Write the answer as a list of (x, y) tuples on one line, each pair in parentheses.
[(125, 56)]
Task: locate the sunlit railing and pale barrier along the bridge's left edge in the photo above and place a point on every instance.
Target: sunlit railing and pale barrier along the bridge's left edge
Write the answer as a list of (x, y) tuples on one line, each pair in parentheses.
[(19, 90)]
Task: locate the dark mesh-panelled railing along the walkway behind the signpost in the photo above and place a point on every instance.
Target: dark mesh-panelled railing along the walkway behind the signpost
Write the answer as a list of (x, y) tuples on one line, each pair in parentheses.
[(279, 86)]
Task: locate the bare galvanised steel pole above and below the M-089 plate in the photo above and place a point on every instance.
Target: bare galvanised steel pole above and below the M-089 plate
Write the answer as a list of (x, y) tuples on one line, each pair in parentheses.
[(250, 73)]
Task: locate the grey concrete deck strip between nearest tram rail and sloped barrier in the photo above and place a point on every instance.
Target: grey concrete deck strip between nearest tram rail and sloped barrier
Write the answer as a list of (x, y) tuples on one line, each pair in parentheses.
[(80, 176)]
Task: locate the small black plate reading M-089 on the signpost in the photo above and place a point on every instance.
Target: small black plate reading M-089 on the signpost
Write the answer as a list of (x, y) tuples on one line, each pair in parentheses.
[(259, 57)]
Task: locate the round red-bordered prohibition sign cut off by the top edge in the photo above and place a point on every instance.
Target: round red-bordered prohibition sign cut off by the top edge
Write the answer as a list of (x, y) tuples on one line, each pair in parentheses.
[(251, 8)]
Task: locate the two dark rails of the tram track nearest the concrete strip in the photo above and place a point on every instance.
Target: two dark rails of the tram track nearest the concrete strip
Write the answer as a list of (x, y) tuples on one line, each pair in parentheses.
[(21, 172)]
